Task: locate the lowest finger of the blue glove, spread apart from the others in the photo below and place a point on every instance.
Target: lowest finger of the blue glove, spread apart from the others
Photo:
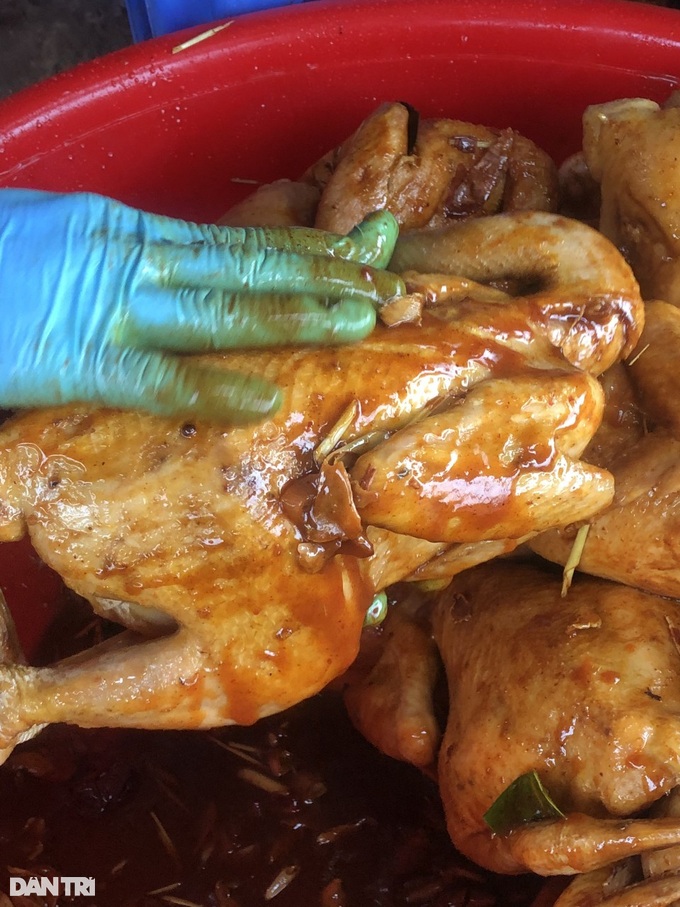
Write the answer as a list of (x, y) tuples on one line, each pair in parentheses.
[(172, 386)]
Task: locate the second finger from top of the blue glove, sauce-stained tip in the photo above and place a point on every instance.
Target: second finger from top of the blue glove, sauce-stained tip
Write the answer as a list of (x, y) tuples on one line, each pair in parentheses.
[(249, 266)]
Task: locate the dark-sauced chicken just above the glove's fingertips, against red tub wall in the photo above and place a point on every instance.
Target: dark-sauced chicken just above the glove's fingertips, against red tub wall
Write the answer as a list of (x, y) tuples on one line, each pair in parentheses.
[(429, 172)]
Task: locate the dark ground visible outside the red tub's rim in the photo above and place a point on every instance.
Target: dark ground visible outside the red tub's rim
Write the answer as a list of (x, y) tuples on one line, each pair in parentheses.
[(41, 37)]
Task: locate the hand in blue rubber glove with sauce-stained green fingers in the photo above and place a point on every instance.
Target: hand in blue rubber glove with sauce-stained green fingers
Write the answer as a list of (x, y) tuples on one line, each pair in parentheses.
[(97, 299)]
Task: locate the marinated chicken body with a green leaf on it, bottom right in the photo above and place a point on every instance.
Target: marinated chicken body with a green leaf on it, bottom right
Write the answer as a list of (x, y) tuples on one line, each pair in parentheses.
[(582, 690)]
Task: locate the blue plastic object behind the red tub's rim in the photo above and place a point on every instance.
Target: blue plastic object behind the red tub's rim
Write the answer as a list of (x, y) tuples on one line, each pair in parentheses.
[(151, 18)]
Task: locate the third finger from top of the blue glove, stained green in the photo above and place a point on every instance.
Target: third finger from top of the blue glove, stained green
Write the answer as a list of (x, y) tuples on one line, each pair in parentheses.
[(191, 321)]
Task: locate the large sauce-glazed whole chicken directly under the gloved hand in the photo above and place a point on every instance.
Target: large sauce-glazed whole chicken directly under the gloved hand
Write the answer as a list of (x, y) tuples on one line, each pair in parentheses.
[(248, 556)]
